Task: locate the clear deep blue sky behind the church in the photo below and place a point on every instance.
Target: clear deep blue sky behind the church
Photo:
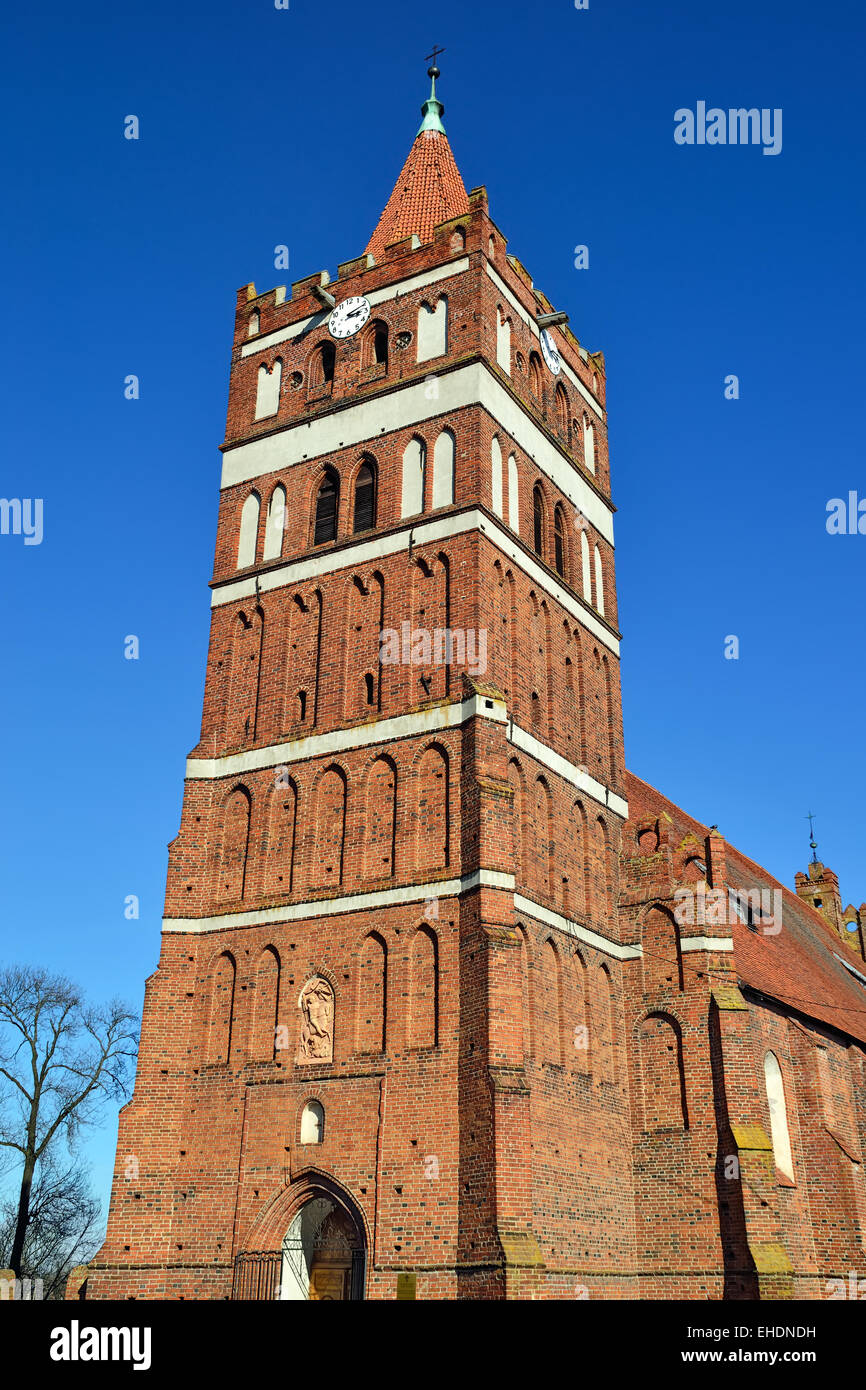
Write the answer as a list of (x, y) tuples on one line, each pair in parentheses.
[(263, 127)]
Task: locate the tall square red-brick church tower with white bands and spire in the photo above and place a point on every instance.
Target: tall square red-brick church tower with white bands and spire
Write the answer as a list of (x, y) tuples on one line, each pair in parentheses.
[(391, 904)]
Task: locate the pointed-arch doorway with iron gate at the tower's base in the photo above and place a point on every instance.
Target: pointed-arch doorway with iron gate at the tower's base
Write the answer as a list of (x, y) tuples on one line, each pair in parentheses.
[(323, 1254)]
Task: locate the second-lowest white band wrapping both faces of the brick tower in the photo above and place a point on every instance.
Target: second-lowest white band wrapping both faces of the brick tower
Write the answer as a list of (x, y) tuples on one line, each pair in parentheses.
[(402, 726)]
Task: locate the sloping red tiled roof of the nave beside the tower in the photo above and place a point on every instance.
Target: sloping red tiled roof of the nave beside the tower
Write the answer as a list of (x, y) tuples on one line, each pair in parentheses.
[(797, 967)]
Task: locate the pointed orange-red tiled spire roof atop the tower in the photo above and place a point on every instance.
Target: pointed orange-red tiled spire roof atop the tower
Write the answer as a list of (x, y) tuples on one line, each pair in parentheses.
[(427, 193)]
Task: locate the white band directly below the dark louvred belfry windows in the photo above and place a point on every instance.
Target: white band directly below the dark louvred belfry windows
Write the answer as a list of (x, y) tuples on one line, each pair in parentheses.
[(423, 533)]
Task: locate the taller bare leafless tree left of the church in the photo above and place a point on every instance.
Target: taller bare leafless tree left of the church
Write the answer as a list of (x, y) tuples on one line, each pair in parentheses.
[(60, 1063)]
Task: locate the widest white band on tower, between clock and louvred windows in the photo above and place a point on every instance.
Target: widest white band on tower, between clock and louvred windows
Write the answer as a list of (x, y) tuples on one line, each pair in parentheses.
[(405, 408)]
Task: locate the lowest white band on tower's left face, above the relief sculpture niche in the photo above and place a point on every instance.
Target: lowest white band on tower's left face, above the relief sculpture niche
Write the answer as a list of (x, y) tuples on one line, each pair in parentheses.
[(352, 903)]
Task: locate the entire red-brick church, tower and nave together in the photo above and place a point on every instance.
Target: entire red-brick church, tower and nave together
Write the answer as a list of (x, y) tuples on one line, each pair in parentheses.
[(432, 1018)]
